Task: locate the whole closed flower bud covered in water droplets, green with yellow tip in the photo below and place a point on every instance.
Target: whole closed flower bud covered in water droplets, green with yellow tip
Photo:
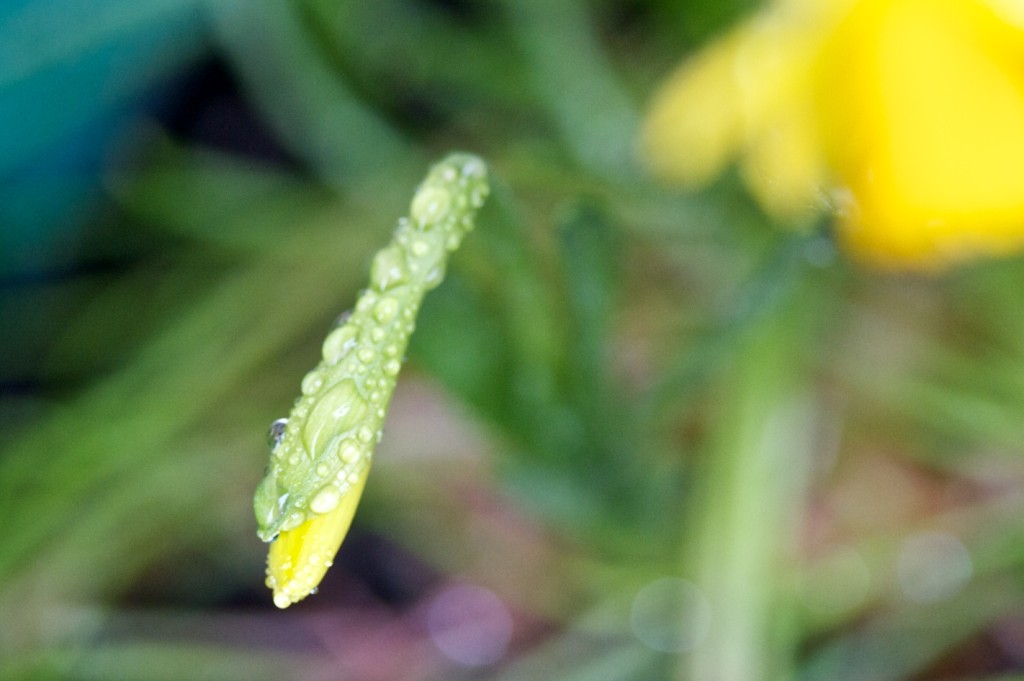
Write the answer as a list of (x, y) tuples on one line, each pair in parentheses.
[(321, 455)]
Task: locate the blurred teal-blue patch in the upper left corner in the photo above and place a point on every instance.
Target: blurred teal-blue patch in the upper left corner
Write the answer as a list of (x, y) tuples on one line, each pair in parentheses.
[(74, 74)]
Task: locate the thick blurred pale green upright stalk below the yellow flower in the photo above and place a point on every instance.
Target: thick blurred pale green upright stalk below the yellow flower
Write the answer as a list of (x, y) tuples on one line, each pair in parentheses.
[(748, 512)]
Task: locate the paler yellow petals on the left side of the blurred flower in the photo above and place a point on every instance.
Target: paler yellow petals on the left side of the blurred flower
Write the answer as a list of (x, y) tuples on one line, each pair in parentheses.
[(748, 95)]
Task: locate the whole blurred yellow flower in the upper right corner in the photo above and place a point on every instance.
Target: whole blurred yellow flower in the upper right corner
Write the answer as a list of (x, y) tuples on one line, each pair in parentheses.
[(907, 115)]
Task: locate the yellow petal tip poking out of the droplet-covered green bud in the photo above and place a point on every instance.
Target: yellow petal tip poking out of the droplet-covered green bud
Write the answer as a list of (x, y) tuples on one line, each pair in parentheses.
[(301, 558)]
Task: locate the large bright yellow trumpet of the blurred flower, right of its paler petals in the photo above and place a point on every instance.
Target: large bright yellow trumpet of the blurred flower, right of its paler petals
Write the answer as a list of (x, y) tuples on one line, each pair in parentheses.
[(926, 104)]
